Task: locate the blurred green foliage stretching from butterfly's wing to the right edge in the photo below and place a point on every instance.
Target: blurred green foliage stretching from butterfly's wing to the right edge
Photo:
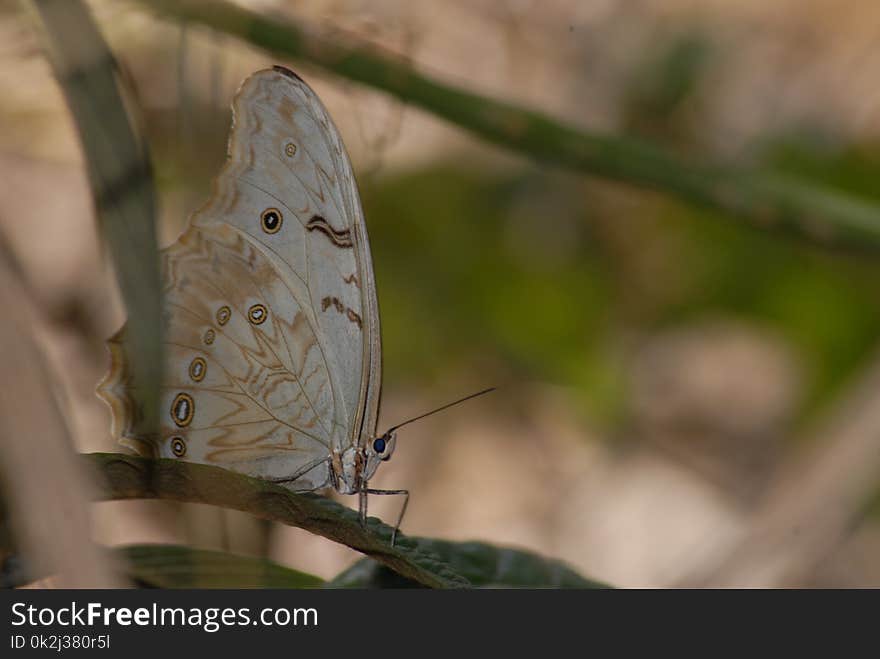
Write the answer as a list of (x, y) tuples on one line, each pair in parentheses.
[(508, 271)]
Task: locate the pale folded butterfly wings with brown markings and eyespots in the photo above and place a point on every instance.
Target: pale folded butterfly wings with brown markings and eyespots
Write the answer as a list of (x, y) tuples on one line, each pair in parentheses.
[(271, 318)]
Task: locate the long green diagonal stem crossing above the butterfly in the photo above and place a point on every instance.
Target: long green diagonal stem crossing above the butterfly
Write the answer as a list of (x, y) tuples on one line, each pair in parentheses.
[(768, 200)]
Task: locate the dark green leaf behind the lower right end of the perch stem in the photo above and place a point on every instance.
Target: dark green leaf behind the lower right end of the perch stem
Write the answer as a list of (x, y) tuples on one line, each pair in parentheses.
[(484, 565)]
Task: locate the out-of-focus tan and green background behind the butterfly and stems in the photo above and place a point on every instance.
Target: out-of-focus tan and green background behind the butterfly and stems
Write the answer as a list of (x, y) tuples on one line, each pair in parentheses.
[(684, 400)]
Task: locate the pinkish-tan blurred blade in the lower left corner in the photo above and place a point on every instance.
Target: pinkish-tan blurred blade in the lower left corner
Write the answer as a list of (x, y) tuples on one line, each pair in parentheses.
[(46, 493)]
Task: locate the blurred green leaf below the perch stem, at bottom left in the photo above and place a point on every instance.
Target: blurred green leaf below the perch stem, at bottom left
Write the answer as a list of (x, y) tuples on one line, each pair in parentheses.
[(175, 566)]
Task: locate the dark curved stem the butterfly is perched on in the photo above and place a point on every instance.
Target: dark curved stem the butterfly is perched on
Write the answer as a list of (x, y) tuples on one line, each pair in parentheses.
[(128, 477)]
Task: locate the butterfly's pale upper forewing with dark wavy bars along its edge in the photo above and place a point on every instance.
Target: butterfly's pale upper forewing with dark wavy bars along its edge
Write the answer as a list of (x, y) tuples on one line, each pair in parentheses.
[(286, 158)]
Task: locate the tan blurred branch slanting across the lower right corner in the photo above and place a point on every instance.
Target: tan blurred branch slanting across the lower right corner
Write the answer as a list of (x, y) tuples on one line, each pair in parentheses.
[(815, 502)]
